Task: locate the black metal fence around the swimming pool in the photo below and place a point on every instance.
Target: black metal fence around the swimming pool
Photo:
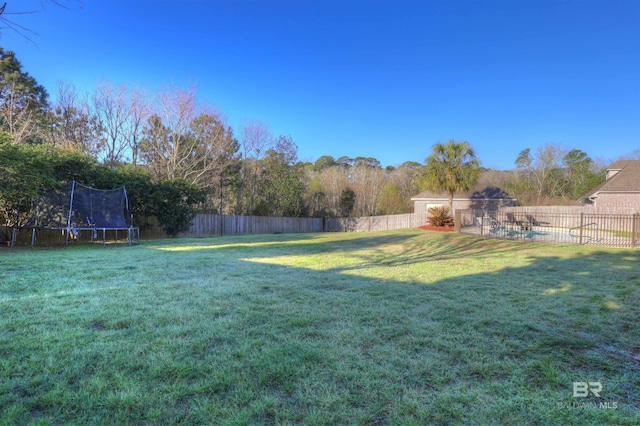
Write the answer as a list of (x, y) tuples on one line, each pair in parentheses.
[(610, 230)]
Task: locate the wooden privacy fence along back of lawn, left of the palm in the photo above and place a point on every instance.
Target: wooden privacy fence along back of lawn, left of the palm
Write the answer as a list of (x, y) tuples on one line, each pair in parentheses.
[(213, 224)]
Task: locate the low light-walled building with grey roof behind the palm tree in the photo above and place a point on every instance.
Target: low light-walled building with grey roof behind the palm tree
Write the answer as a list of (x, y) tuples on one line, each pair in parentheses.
[(482, 197)]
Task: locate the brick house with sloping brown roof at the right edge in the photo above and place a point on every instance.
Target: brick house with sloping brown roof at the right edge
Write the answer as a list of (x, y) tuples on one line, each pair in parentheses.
[(620, 191)]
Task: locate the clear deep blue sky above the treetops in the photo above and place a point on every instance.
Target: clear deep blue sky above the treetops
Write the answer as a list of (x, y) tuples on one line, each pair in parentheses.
[(383, 79)]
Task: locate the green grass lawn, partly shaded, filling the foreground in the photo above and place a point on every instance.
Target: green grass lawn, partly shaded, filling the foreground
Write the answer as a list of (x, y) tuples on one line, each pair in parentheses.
[(401, 327)]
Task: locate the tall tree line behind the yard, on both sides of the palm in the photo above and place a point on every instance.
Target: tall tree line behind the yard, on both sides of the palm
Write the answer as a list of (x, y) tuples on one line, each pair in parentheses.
[(120, 133)]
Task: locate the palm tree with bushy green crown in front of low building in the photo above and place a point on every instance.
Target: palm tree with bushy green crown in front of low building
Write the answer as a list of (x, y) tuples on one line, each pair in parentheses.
[(452, 167)]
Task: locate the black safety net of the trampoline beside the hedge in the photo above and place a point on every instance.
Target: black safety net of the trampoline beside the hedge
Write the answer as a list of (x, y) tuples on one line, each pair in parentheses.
[(76, 206)]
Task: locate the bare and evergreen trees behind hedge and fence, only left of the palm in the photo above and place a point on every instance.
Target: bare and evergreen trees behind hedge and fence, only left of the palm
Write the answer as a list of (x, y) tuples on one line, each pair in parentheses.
[(171, 136)]
